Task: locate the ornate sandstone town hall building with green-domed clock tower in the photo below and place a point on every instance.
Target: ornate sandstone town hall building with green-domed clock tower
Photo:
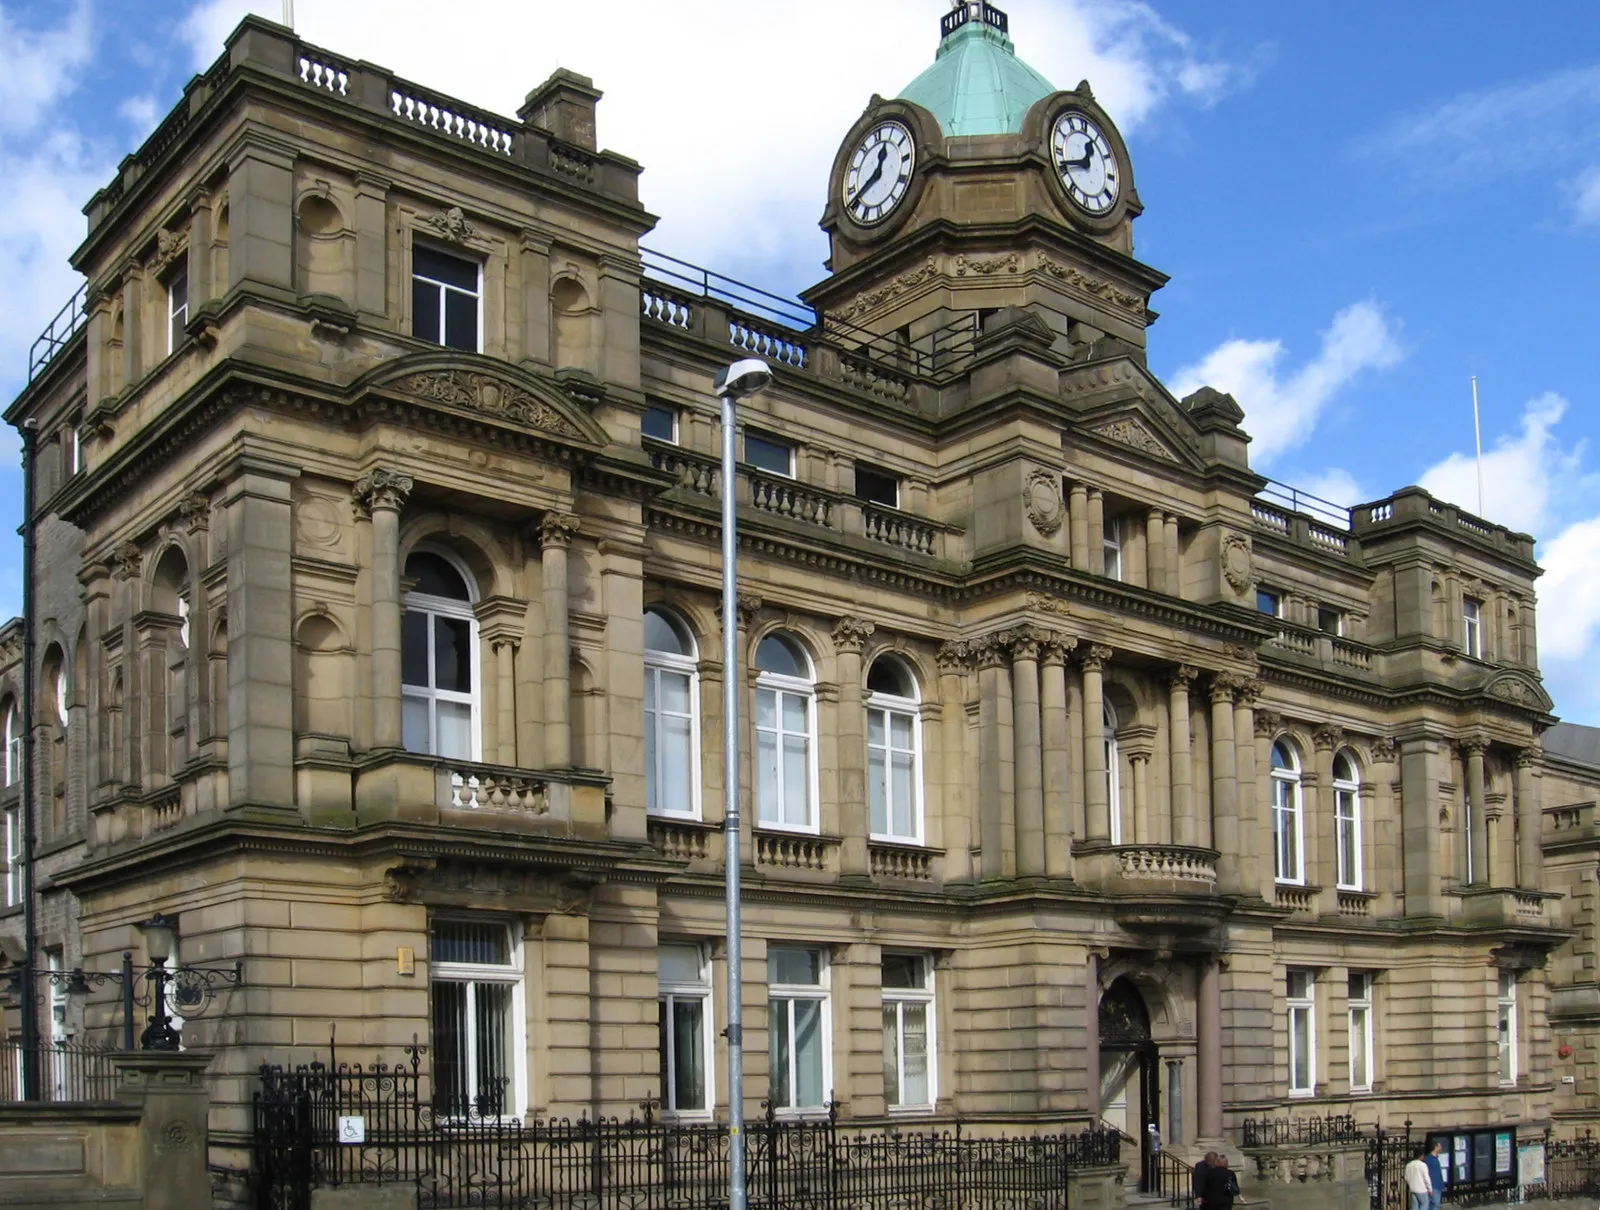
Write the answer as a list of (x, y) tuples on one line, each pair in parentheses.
[(1087, 774)]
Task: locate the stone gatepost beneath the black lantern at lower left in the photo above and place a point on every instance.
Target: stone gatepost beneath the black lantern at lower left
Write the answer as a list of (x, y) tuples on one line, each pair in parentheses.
[(170, 1089)]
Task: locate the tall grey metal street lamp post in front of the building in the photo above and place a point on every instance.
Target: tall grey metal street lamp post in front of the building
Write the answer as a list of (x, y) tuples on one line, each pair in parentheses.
[(734, 383)]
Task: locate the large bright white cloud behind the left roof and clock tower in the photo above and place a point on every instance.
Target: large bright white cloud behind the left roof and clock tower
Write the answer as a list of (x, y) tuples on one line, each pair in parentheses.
[(690, 87)]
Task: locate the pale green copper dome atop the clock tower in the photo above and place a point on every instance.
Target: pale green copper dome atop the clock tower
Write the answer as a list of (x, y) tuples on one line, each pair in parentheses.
[(977, 86)]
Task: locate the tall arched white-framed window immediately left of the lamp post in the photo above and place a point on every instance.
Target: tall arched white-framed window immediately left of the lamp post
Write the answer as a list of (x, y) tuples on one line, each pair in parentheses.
[(671, 718)]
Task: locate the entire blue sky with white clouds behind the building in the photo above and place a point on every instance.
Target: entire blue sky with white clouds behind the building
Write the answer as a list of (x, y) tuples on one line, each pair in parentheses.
[(1361, 204)]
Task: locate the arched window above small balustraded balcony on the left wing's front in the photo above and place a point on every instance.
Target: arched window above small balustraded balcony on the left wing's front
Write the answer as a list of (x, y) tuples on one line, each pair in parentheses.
[(439, 659)]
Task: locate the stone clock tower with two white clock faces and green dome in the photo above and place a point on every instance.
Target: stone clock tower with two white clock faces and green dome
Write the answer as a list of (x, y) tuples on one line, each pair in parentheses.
[(982, 186)]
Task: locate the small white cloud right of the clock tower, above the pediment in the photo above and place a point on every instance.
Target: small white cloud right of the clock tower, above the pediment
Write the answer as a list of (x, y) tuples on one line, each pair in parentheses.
[(1282, 409)]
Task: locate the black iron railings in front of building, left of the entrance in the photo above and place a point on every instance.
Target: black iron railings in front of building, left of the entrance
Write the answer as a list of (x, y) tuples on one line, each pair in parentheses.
[(391, 1134)]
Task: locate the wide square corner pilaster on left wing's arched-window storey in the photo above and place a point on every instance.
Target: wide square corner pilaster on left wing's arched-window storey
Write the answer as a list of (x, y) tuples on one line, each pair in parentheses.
[(260, 635)]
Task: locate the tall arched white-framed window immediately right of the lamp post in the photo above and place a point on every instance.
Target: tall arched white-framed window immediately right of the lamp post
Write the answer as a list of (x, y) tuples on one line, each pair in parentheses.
[(785, 735)]
